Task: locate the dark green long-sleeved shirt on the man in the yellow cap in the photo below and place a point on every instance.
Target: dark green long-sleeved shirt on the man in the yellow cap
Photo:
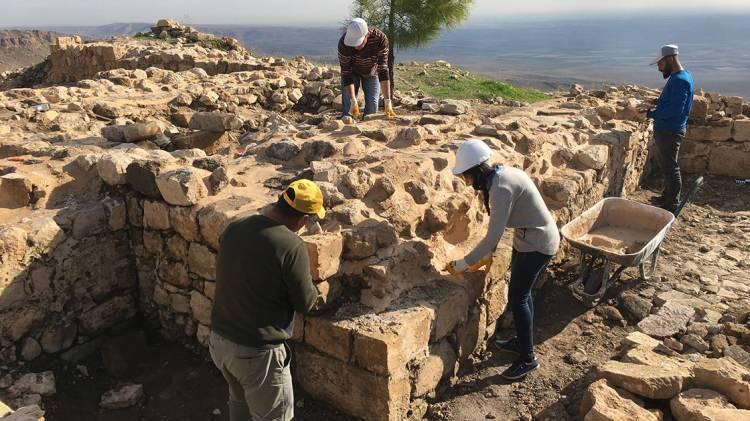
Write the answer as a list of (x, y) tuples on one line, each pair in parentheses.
[(262, 278)]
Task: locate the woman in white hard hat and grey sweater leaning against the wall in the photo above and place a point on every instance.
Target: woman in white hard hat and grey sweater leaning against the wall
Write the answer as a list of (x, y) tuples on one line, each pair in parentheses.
[(512, 200)]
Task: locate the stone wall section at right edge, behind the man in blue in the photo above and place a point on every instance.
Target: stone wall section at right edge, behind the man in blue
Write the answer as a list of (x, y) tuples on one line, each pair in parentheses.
[(718, 137)]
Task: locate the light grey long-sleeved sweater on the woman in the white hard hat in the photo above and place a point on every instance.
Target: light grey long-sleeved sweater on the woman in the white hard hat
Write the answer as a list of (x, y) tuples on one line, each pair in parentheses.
[(515, 202)]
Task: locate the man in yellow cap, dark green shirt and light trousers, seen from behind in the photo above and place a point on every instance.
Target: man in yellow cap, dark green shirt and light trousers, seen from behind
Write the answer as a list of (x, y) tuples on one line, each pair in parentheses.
[(262, 279)]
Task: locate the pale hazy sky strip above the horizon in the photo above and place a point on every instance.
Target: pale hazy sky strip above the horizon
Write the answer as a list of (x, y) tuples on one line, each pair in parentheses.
[(308, 12)]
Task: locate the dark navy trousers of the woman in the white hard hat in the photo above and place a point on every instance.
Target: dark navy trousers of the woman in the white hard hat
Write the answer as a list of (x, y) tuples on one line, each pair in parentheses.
[(525, 267)]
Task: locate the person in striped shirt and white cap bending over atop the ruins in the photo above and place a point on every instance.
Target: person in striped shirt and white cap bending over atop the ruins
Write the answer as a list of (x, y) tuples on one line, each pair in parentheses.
[(363, 56)]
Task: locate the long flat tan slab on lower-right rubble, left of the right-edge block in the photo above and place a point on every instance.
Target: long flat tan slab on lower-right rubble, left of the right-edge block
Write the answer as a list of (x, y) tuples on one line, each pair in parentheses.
[(647, 381)]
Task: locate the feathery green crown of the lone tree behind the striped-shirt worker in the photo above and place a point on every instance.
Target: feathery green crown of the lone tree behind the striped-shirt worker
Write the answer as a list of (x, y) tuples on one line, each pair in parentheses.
[(412, 23)]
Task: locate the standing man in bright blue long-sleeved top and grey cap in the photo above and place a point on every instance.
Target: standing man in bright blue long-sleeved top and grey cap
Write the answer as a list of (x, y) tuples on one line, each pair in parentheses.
[(670, 120)]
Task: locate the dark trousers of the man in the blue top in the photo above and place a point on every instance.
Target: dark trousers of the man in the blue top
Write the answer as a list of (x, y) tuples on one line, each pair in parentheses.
[(667, 151)]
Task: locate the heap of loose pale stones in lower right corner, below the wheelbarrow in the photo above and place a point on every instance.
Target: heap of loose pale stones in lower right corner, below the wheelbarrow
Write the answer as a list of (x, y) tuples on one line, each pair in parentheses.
[(689, 354)]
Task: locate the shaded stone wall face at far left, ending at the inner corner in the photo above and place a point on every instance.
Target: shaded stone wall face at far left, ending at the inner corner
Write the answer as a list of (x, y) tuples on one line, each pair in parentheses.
[(67, 278)]
